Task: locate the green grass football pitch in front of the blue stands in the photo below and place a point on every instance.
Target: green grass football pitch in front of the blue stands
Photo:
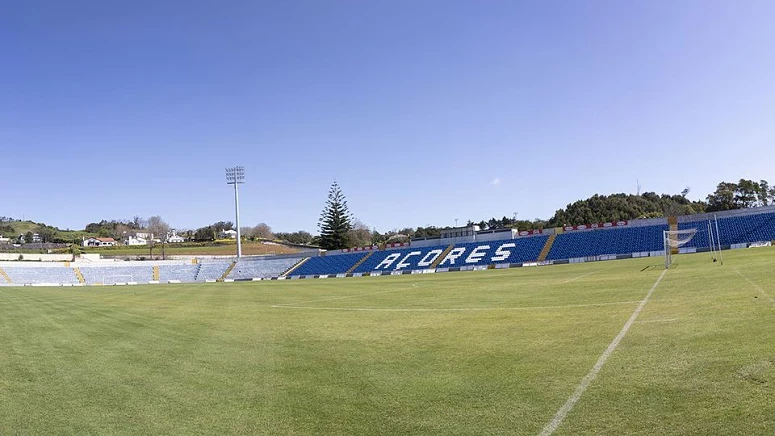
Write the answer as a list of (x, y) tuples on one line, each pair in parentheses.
[(488, 352)]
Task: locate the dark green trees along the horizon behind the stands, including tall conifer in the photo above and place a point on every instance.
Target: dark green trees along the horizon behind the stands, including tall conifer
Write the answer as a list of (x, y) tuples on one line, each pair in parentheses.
[(338, 228)]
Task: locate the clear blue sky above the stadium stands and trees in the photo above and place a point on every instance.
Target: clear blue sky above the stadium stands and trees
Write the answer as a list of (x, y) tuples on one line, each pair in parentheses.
[(424, 111)]
